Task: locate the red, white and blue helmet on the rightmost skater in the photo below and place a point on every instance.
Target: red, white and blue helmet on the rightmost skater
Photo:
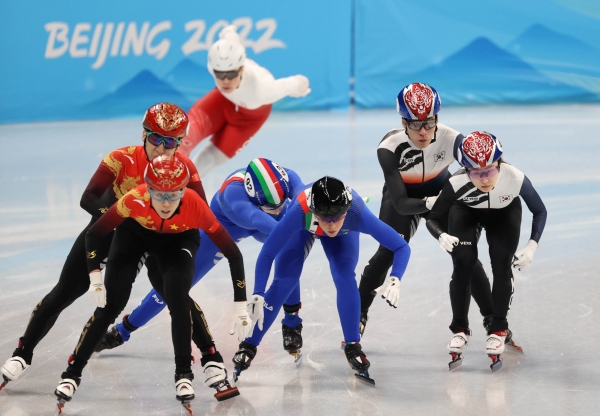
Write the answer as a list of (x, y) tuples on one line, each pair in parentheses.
[(478, 150)]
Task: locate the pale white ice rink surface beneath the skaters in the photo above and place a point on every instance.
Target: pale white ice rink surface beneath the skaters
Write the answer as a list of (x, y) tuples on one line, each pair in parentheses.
[(554, 315)]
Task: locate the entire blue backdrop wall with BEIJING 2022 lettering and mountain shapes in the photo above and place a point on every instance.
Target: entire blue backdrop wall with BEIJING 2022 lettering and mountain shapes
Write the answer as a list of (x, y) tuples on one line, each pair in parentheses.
[(70, 59)]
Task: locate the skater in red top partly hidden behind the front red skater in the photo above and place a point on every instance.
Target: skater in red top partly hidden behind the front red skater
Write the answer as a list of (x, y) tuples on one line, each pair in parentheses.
[(164, 125)]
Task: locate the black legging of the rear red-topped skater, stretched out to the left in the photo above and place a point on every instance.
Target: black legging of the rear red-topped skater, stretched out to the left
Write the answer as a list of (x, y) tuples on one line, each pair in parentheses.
[(73, 282)]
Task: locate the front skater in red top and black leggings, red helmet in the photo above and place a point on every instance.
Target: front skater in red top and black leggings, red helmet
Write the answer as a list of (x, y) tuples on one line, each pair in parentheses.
[(162, 219)]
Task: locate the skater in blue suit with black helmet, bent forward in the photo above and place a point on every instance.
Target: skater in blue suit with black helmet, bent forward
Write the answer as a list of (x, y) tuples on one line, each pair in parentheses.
[(336, 215)]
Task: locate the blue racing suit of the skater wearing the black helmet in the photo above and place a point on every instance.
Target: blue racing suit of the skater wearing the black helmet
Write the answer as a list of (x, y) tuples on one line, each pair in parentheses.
[(290, 243)]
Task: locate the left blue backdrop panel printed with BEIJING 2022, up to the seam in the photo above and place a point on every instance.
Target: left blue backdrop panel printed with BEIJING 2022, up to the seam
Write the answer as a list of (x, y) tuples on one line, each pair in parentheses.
[(71, 59)]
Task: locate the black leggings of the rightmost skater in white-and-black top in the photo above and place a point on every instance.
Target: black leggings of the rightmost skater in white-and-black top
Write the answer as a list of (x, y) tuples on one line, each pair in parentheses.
[(502, 227)]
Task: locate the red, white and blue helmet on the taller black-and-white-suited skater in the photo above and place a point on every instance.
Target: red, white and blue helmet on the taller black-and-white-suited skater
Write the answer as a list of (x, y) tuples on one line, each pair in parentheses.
[(418, 101)]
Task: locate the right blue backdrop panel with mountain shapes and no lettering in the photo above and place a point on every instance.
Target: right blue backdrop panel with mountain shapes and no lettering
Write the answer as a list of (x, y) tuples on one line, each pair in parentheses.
[(474, 52)]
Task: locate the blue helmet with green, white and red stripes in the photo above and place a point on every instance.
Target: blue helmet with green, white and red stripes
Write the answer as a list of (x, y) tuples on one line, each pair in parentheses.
[(267, 184)]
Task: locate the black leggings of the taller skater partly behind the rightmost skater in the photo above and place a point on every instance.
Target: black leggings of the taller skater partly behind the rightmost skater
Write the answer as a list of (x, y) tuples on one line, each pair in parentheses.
[(406, 225)]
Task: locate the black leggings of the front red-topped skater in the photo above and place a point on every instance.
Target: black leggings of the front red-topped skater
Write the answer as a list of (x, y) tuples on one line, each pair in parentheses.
[(173, 258)]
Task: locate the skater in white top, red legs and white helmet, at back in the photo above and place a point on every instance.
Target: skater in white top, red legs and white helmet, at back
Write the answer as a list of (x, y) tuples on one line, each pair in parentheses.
[(239, 105)]
